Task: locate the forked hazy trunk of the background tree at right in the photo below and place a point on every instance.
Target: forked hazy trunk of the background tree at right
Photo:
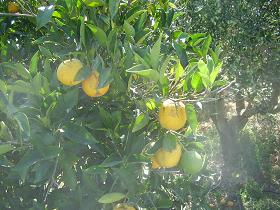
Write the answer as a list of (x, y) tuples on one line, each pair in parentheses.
[(237, 150)]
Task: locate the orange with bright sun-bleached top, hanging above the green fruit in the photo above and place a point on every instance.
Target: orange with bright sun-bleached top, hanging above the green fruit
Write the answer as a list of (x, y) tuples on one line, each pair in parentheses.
[(172, 115)]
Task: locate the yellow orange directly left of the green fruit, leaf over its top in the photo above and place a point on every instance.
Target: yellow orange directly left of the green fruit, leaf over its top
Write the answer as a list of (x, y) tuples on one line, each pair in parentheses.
[(168, 159)]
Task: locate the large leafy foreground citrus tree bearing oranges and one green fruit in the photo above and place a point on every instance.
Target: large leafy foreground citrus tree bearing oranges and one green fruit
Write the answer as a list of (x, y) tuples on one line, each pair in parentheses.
[(98, 106)]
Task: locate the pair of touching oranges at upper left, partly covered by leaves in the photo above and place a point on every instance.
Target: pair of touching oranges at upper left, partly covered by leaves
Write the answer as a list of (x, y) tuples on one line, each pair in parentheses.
[(68, 70)]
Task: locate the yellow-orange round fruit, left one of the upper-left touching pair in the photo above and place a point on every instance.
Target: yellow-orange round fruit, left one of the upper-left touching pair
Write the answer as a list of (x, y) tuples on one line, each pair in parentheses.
[(68, 70)]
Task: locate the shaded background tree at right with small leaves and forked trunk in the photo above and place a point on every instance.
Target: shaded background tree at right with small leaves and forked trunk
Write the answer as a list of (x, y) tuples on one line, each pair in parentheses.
[(249, 35)]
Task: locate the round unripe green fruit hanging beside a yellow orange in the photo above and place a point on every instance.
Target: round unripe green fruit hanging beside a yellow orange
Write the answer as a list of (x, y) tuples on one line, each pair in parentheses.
[(191, 162)]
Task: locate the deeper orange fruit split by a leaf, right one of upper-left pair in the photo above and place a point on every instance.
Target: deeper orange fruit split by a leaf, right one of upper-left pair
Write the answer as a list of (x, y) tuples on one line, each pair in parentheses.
[(90, 86)]
